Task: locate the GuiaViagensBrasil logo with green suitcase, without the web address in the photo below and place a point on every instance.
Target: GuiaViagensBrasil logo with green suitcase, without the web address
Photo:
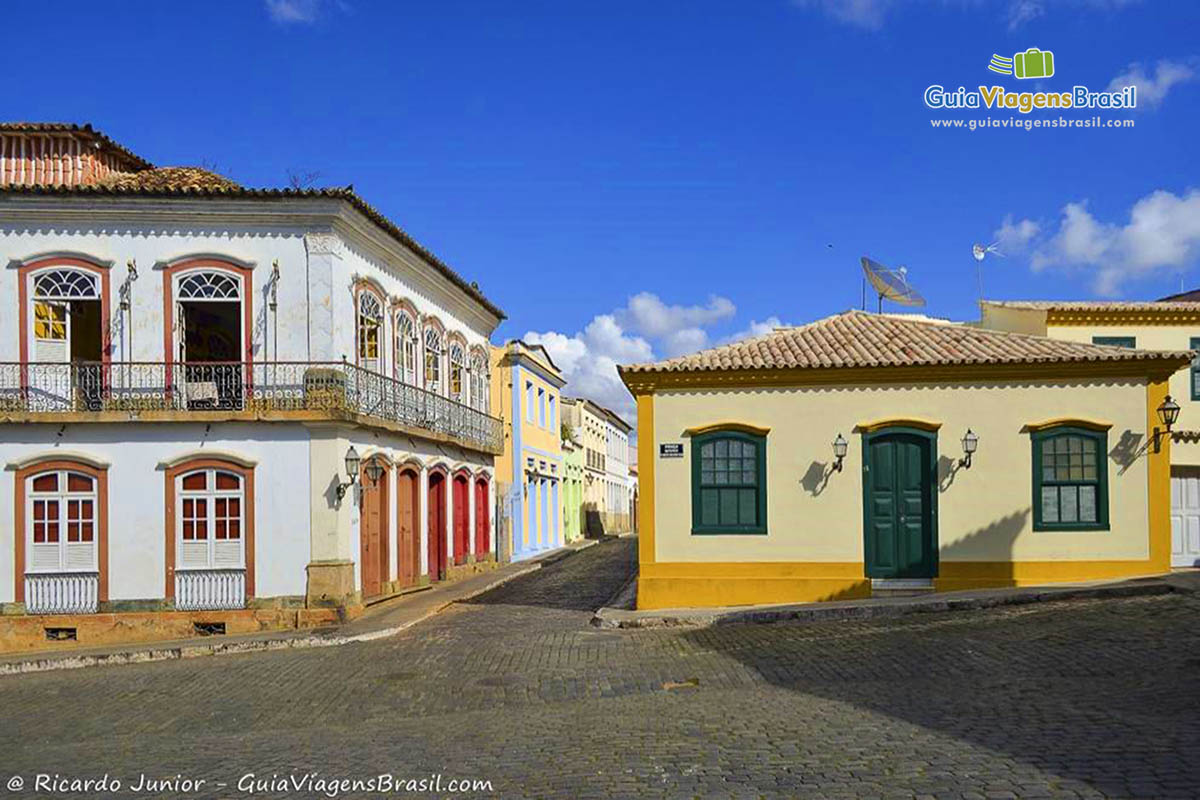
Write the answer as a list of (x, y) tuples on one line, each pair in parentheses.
[(1030, 64)]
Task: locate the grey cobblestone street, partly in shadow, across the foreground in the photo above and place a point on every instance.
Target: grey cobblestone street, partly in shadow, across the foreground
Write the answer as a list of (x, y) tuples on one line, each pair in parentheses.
[(1082, 700)]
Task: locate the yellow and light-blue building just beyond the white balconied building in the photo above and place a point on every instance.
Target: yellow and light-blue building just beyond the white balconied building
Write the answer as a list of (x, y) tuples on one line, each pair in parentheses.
[(526, 395)]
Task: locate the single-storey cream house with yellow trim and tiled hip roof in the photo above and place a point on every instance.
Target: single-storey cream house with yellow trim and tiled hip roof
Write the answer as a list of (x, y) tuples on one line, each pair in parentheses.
[(873, 454)]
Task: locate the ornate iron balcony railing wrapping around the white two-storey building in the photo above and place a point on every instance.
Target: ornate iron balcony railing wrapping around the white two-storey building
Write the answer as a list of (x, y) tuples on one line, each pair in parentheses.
[(235, 387)]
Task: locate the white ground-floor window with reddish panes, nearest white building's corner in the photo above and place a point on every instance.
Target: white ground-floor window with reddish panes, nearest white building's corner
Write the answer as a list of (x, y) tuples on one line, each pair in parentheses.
[(212, 519)]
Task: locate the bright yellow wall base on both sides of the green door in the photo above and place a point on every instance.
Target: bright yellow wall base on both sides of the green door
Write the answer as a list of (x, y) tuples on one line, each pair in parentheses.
[(711, 585)]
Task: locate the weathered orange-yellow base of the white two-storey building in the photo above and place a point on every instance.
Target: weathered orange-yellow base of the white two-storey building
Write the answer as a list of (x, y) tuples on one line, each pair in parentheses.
[(27, 634)]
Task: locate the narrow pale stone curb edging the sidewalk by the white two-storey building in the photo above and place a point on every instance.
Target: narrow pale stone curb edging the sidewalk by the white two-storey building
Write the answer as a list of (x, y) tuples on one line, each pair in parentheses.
[(279, 642)]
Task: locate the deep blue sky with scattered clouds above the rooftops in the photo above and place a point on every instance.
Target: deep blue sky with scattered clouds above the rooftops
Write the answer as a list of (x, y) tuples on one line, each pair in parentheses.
[(633, 181)]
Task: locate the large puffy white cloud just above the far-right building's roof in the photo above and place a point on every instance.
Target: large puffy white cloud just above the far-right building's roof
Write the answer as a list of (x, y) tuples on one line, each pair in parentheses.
[(1162, 236)]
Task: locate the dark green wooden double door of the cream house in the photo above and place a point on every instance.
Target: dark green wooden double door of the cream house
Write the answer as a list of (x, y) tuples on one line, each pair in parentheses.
[(899, 506)]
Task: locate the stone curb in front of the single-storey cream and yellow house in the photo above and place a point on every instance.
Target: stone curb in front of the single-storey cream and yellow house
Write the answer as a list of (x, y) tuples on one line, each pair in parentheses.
[(617, 618)]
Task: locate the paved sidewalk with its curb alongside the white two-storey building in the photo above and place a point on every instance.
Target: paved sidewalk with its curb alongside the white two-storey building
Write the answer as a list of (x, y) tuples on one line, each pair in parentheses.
[(381, 621)]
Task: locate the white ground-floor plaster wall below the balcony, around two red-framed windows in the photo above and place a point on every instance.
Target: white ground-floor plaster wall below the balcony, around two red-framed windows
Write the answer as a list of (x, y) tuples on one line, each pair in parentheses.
[(136, 497)]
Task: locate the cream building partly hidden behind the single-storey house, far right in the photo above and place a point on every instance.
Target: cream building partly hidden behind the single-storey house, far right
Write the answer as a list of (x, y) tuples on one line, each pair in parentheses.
[(1160, 326)]
